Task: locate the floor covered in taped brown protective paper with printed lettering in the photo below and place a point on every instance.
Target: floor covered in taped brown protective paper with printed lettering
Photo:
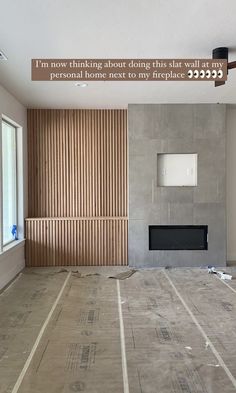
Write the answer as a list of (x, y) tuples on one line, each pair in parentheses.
[(179, 328)]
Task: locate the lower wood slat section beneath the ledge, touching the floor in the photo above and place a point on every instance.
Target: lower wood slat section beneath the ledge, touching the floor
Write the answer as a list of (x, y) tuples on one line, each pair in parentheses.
[(80, 242)]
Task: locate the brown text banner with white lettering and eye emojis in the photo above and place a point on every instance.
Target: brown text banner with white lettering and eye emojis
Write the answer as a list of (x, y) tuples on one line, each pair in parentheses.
[(129, 69)]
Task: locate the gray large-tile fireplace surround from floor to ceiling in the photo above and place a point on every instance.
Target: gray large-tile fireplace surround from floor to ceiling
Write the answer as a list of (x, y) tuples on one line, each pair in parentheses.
[(197, 128)]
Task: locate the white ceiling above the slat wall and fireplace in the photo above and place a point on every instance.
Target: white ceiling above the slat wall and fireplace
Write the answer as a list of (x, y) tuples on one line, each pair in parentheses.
[(113, 29)]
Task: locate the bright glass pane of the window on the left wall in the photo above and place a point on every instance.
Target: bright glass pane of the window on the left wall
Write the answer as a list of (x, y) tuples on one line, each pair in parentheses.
[(9, 182)]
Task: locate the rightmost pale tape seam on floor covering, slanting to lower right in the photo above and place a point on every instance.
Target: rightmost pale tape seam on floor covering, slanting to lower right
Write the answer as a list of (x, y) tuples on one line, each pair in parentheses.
[(217, 355)]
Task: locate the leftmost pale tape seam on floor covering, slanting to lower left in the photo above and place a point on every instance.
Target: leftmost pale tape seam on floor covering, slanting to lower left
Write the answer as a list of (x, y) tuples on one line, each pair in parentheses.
[(42, 330)]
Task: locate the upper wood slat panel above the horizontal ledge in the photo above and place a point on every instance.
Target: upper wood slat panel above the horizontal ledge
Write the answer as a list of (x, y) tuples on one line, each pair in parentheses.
[(77, 163)]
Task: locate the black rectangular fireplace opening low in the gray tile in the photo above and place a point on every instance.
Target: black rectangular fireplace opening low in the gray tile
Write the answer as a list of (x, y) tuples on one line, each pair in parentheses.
[(178, 237)]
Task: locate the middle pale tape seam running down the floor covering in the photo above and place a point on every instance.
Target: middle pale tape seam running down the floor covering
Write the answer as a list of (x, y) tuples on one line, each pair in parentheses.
[(122, 342)]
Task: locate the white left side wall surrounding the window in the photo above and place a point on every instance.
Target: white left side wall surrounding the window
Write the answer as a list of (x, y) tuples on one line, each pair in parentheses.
[(12, 261)]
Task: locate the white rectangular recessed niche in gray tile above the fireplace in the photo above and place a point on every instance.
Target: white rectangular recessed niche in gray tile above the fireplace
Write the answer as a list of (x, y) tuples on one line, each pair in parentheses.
[(177, 170)]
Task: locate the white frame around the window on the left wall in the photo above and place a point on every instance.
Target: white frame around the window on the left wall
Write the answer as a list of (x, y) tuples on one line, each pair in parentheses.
[(17, 127)]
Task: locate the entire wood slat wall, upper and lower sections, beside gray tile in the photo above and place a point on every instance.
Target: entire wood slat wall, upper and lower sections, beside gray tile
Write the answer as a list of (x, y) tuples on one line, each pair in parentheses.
[(77, 162)]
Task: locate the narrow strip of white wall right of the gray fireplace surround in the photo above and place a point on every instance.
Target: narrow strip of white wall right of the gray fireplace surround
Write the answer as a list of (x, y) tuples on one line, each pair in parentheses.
[(231, 181)]
